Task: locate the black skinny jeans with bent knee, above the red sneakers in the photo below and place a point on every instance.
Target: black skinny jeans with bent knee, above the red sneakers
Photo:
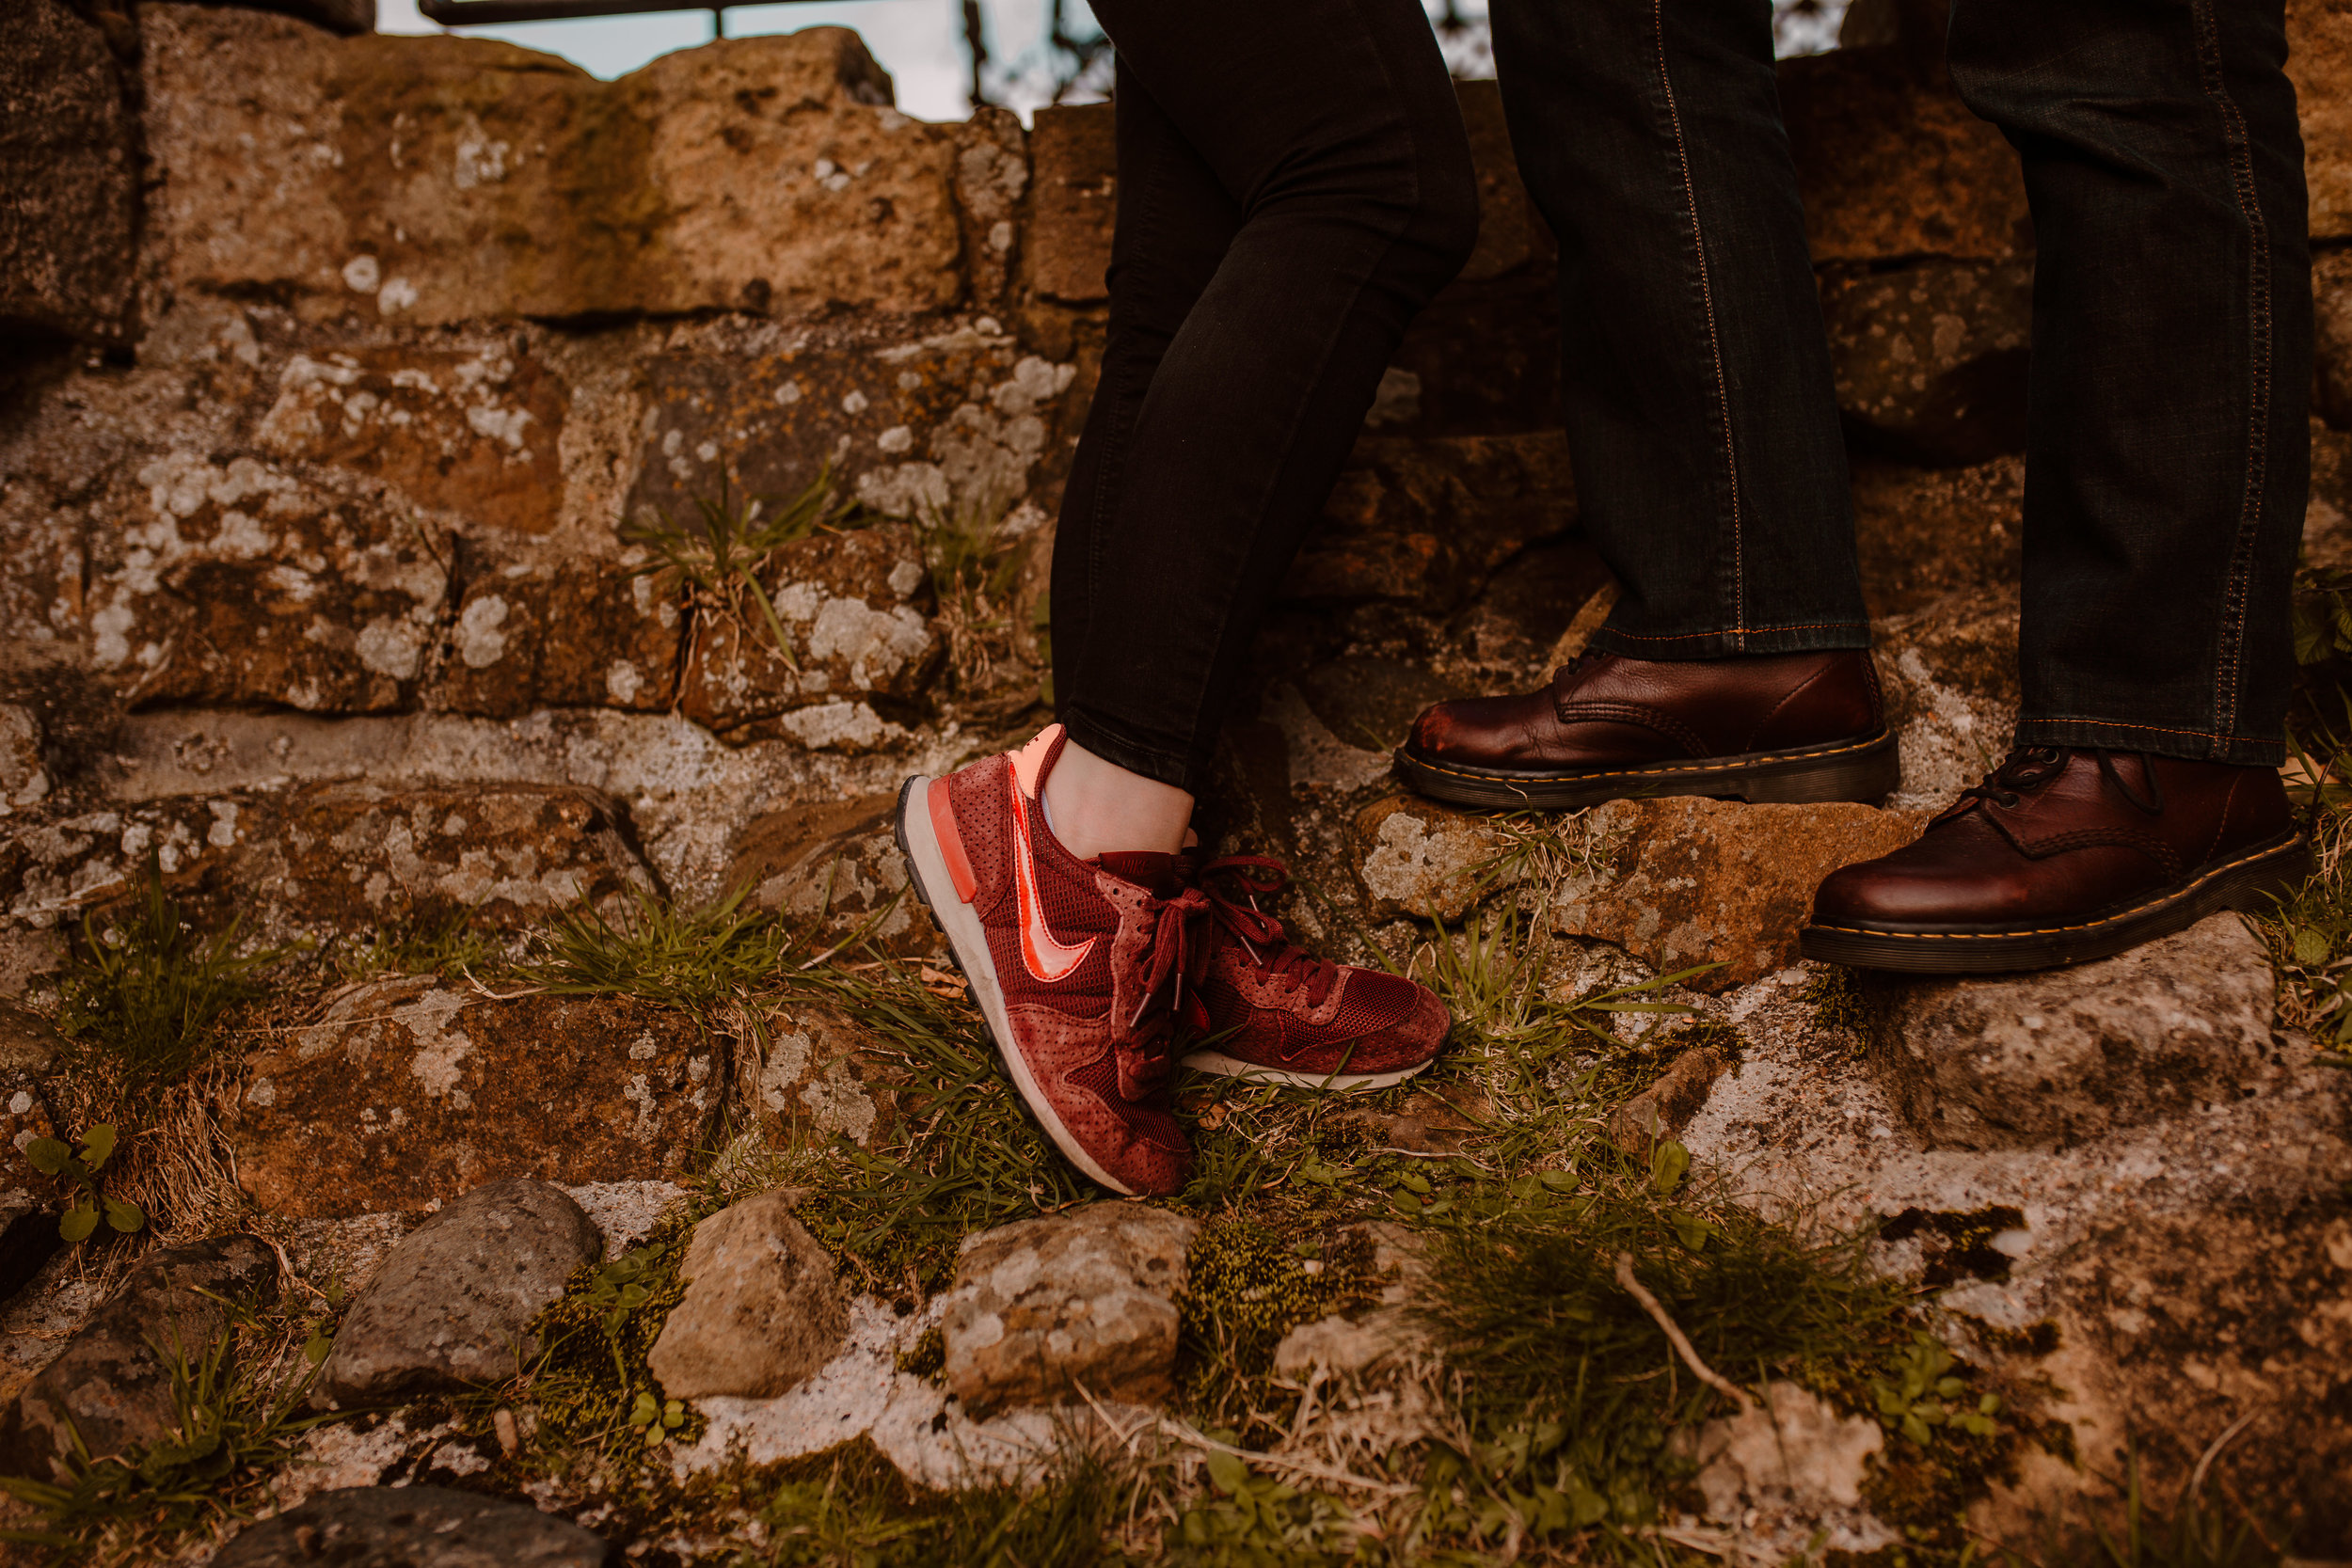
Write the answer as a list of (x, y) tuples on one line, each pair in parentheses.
[(1295, 185)]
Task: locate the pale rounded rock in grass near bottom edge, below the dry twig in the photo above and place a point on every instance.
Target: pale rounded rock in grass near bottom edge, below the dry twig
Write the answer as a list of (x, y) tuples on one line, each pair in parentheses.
[(1789, 1454)]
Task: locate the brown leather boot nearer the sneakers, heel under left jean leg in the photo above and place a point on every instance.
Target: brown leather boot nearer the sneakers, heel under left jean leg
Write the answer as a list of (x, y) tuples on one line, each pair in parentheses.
[(1770, 728)]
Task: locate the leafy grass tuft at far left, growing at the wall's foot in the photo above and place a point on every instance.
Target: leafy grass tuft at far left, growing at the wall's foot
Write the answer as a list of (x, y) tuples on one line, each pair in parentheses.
[(149, 991)]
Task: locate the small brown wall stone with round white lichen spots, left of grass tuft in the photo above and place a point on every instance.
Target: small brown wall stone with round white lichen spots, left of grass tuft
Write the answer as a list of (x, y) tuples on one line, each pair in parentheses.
[(561, 636)]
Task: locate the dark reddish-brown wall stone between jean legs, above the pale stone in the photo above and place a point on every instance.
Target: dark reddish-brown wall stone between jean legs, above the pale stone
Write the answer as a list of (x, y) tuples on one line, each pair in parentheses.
[(1930, 532)]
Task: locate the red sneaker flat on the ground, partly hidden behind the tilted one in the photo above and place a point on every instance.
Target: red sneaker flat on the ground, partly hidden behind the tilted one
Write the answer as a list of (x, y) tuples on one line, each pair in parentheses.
[(1267, 1010)]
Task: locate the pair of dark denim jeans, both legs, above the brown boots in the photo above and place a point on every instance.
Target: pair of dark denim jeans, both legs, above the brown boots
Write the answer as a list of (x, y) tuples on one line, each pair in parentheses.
[(2170, 453)]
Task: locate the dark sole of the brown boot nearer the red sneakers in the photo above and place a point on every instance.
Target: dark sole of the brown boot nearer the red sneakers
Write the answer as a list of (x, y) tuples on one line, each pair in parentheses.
[(1866, 770)]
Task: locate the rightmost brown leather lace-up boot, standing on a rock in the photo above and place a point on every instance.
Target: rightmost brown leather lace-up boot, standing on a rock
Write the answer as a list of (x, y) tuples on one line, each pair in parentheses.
[(2064, 857)]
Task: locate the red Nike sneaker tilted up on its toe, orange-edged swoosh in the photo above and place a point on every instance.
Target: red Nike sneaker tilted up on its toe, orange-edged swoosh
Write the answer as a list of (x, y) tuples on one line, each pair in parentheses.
[(1078, 965)]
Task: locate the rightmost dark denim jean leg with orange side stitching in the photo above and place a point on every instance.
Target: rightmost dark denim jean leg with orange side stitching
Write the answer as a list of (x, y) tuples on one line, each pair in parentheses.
[(2170, 443)]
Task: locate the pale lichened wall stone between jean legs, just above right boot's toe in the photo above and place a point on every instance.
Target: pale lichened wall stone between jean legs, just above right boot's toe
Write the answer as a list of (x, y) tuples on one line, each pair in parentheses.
[(1951, 678)]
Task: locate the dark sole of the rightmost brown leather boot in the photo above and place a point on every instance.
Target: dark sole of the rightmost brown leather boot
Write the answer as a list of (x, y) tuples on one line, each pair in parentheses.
[(2247, 883)]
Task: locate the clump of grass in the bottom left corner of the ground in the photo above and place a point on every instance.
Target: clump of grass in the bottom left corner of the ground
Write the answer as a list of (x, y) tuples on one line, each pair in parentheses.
[(236, 1412)]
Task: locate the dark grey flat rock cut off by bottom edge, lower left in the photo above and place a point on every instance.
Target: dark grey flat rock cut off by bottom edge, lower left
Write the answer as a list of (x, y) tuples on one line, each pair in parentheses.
[(415, 1527)]
